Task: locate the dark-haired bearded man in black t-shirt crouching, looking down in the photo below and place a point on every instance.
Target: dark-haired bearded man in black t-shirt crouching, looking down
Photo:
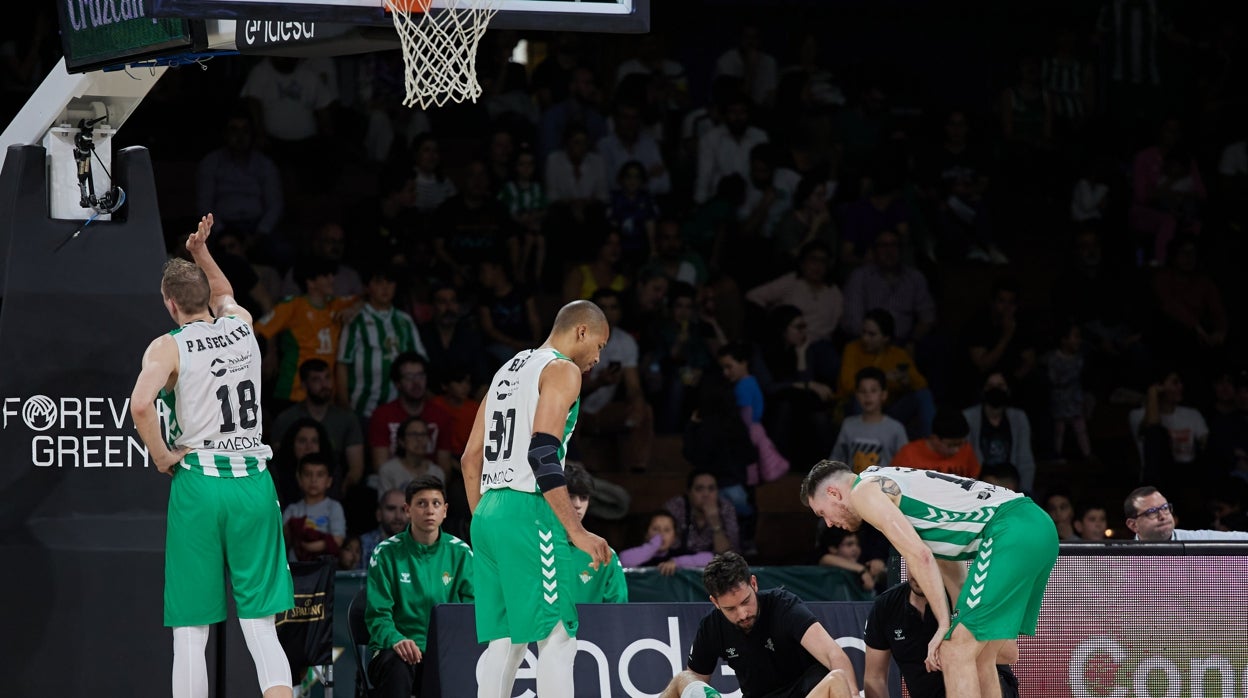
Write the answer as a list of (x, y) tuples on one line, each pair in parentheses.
[(774, 644)]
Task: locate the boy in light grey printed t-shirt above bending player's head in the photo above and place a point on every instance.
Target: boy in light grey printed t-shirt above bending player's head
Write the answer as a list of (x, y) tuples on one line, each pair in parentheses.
[(870, 438)]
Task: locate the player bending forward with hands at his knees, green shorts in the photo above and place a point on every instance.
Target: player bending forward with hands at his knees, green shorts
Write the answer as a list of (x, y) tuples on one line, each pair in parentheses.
[(938, 521)]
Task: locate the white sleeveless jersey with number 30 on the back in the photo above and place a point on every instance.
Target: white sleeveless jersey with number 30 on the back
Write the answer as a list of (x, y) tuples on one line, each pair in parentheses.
[(511, 405)]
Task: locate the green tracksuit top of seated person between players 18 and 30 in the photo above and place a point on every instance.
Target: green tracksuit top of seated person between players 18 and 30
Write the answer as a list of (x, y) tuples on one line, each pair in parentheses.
[(407, 580)]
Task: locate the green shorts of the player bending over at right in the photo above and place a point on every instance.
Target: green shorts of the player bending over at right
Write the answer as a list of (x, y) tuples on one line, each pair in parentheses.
[(1007, 581)]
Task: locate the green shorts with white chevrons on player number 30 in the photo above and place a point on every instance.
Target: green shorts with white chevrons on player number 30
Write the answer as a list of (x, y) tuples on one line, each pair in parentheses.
[(524, 574)]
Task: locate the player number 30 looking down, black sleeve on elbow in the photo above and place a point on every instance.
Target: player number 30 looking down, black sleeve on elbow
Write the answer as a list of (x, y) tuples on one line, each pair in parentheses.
[(524, 574)]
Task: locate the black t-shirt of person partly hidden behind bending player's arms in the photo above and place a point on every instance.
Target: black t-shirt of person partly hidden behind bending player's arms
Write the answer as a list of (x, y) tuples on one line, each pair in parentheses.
[(898, 627)]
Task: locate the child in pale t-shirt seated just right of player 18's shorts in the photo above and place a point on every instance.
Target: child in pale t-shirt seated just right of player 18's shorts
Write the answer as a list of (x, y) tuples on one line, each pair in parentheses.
[(315, 525)]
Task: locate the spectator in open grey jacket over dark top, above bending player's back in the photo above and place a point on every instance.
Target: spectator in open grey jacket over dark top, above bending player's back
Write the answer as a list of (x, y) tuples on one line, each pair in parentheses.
[(999, 434)]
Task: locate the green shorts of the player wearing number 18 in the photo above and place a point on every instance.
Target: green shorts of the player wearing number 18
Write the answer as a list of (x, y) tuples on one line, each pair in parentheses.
[(218, 524)]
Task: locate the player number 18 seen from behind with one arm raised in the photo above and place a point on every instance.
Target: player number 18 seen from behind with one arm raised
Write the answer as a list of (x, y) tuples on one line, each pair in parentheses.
[(208, 374)]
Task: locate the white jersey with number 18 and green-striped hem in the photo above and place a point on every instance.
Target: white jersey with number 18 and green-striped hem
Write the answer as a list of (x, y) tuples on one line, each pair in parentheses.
[(215, 406)]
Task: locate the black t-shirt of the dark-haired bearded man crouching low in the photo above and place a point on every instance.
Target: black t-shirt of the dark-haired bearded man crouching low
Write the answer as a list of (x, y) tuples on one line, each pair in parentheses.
[(767, 659)]
